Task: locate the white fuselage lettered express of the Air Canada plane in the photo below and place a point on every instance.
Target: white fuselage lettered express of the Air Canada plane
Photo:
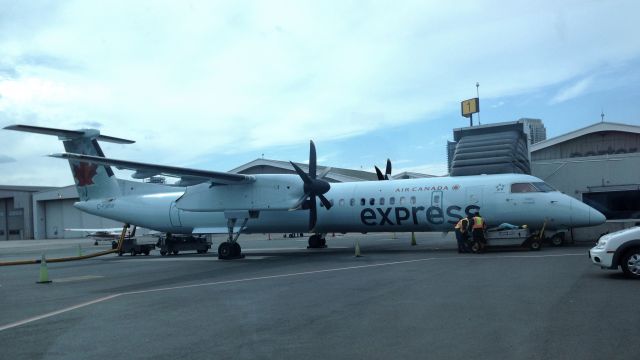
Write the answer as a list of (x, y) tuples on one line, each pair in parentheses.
[(425, 204)]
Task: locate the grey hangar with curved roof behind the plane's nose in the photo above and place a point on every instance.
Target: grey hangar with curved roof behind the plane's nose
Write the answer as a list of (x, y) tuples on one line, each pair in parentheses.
[(598, 165)]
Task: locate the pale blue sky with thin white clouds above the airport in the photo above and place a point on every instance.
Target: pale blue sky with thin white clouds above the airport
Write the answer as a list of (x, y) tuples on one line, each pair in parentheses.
[(215, 84)]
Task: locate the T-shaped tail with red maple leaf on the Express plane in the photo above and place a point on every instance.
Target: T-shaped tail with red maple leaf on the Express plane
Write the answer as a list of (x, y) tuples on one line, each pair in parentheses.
[(92, 181)]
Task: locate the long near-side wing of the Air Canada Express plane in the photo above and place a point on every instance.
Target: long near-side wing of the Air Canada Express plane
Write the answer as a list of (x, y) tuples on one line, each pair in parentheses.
[(145, 170)]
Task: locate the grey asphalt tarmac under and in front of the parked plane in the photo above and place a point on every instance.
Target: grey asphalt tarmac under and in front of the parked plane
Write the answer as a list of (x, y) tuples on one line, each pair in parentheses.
[(288, 302)]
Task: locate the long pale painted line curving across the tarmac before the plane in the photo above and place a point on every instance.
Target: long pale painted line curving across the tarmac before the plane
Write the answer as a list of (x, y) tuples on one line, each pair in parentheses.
[(269, 277)]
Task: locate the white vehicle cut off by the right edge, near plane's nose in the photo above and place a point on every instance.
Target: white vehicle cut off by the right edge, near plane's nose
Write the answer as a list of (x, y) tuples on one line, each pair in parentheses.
[(620, 248)]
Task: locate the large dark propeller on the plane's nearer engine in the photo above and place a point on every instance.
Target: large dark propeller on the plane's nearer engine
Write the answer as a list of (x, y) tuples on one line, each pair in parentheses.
[(314, 187)]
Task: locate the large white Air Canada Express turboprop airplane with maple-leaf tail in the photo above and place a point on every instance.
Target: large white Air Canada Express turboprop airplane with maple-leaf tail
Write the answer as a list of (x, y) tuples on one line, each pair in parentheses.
[(212, 202)]
